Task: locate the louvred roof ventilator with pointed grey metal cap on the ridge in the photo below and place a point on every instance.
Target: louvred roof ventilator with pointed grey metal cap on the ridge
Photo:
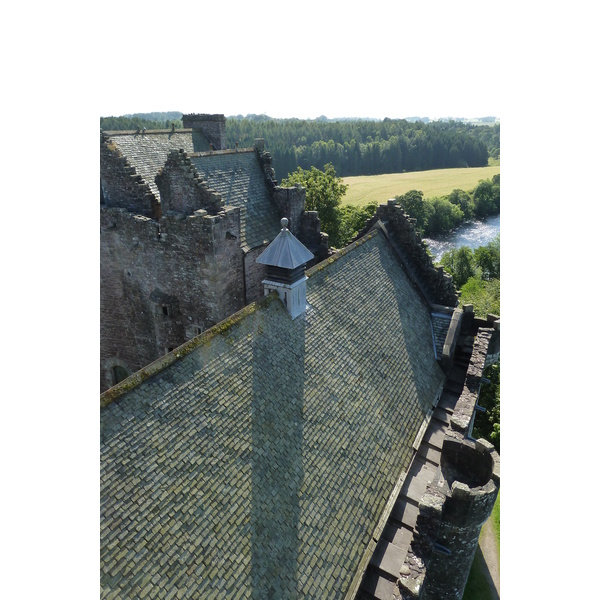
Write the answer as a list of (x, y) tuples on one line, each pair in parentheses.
[(286, 258)]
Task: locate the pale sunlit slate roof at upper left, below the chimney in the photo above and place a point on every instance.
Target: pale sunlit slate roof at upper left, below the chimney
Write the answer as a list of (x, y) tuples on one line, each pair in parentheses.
[(148, 151)]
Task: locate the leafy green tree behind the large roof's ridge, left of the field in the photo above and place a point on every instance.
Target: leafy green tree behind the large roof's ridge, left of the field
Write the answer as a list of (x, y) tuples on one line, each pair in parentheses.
[(324, 191)]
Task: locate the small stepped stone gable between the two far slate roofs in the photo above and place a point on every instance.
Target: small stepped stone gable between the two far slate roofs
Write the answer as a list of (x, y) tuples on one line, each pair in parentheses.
[(182, 188)]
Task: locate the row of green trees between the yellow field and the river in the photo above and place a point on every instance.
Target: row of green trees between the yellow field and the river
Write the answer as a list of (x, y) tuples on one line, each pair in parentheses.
[(439, 215)]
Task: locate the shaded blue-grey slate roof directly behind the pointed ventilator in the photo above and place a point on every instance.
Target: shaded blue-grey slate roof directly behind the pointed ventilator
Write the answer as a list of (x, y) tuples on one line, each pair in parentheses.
[(239, 177)]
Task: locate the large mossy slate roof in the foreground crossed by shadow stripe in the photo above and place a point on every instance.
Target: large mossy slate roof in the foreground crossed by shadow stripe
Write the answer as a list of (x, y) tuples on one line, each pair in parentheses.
[(258, 464)]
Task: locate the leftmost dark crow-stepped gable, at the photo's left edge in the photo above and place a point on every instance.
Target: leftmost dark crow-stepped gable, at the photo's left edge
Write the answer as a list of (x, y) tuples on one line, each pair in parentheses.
[(121, 186)]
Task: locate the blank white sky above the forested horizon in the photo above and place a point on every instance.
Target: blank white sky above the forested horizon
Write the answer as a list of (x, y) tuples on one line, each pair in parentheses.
[(304, 60)]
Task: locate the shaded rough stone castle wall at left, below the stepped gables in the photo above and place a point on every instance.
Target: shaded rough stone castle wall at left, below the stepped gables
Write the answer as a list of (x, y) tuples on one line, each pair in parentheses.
[(163, 283)]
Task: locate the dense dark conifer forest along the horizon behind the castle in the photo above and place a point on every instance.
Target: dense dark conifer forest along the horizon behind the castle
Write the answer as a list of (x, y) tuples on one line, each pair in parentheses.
[(352, 146)]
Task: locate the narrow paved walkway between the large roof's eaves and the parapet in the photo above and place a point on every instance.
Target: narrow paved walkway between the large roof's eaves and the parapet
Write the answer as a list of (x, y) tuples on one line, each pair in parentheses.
[(383, 571)]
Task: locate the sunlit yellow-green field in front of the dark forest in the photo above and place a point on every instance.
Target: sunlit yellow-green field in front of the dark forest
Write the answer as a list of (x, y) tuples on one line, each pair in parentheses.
[(439, 182)]
